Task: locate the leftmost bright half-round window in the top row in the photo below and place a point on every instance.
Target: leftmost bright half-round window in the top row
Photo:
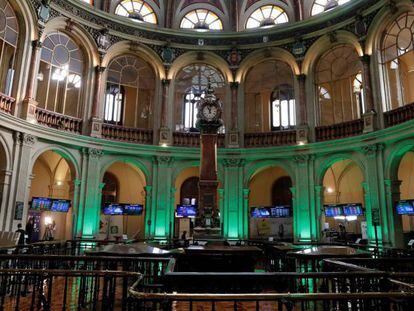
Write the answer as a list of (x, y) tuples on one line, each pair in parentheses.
[(137, 10)]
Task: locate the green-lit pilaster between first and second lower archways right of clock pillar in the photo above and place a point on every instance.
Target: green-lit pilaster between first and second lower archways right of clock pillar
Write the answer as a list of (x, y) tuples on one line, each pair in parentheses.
[(302, 206)]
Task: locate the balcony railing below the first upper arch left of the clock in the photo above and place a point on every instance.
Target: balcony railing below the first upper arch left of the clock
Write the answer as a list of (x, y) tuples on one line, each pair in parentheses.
[(136, 135)]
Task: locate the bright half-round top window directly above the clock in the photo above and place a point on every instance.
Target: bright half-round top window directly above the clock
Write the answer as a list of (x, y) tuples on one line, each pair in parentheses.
[(201, 20)]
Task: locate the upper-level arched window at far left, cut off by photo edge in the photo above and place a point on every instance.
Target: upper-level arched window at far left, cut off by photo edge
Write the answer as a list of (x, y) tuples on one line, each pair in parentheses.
[(9, 31)]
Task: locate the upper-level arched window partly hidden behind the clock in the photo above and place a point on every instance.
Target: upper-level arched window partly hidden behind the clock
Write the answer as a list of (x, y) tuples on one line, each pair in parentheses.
[(191, 84)]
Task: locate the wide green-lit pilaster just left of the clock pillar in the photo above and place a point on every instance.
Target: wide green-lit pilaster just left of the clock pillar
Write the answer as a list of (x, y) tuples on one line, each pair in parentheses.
[(162, 211)]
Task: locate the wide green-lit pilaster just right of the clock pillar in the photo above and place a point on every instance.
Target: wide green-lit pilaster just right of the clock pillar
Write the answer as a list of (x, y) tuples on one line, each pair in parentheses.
[(233, 216)]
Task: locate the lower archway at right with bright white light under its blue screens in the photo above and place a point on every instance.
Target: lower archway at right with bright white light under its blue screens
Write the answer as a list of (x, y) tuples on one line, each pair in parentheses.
[(343, 216)]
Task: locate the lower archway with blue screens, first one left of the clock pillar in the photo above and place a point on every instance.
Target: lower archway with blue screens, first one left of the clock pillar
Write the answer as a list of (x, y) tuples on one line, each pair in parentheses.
[(123, 200)]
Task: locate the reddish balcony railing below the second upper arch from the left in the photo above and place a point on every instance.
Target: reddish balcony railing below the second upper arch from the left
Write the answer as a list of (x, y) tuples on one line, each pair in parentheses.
[(58, 121)]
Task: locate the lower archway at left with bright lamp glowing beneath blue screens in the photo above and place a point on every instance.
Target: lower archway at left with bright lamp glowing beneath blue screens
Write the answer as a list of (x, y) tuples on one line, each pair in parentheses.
[(51, 198)]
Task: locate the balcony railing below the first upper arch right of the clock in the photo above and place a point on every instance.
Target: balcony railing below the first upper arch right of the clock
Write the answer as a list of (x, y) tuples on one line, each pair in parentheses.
[(270, 139)]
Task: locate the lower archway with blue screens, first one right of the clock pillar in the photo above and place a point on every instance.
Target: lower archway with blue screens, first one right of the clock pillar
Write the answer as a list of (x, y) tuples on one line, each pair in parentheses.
[(271, 205)]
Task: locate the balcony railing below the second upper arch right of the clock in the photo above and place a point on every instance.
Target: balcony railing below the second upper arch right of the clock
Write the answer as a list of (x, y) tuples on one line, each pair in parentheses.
[(341, 130)]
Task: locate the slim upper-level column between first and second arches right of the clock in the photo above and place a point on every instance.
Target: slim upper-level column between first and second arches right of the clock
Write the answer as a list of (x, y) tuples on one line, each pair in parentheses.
[(302, 129)]
